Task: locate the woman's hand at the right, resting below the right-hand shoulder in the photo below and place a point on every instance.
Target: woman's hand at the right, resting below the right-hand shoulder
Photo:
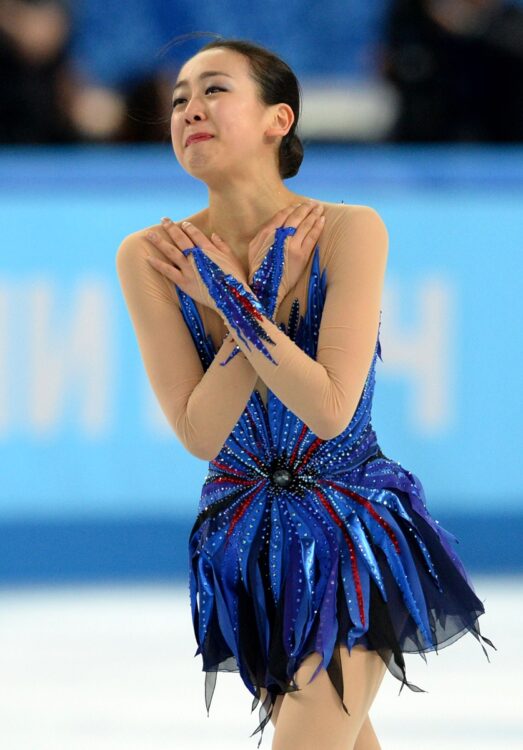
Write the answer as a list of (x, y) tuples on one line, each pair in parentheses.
[(309, 221)]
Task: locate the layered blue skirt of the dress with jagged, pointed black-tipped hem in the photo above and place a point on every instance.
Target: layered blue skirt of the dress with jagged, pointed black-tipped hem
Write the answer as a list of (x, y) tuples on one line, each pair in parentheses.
[(280, 569)]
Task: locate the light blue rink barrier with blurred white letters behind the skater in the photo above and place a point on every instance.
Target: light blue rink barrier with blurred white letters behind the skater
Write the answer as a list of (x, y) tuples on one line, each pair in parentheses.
[(92, 473)]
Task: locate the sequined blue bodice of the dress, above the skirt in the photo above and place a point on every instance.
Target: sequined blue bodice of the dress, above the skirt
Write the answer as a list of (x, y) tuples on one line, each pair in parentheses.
[(268, 438)]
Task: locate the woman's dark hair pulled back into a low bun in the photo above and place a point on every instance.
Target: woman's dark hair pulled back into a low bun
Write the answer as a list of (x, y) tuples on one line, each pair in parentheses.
[(276, 82)]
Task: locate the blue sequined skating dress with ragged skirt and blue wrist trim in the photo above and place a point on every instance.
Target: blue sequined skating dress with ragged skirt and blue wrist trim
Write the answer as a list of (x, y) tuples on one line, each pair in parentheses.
[(302, 544)]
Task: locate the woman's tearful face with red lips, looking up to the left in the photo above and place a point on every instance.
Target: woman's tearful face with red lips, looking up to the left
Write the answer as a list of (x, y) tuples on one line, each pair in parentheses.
[(226, 106)]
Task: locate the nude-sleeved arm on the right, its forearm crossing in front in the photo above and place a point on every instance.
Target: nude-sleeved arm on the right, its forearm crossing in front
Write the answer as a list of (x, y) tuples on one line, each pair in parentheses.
[(324, 393)]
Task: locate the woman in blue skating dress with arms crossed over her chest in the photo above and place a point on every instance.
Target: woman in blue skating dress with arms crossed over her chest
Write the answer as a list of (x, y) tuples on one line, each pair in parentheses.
[(314, 561)]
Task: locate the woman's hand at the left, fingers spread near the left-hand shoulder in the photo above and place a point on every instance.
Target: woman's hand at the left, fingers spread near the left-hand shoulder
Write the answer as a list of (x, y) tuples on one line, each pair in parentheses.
[(182, 269)]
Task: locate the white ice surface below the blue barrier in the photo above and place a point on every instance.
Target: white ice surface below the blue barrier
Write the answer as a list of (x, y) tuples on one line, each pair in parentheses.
[(112, 668)]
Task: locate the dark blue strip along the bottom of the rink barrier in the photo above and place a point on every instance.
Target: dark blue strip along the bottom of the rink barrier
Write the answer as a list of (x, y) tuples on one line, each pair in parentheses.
[(152, 549)]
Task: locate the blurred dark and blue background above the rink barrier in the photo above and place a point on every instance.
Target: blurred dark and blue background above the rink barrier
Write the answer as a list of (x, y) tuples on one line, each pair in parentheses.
[(379, 70)]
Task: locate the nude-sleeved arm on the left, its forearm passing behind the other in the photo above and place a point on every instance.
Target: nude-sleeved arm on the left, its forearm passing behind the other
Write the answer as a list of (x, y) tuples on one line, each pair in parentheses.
[(201, 407)]
